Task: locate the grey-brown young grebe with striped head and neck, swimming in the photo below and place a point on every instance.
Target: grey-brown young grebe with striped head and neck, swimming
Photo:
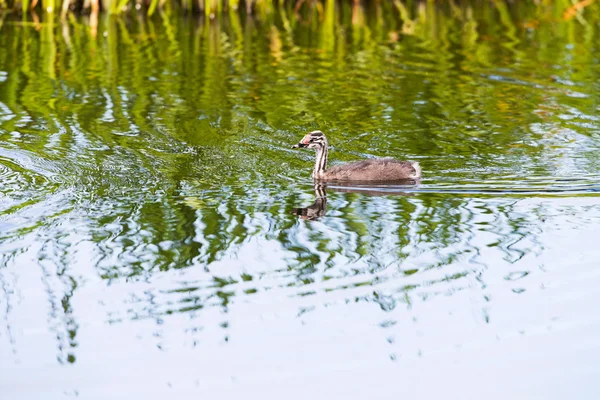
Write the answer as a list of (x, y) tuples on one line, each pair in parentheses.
[(373, 170)]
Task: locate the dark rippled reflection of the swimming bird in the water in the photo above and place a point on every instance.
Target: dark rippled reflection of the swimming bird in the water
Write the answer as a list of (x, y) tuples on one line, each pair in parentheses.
[(319, 207)]
